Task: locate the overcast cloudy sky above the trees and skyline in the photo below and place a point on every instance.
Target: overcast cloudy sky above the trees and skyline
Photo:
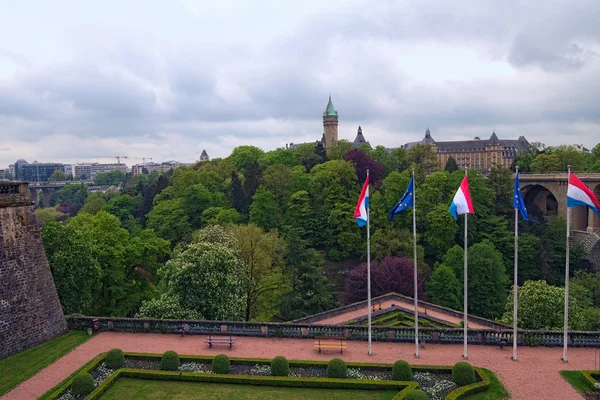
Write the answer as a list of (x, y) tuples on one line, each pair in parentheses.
[(82, 80)]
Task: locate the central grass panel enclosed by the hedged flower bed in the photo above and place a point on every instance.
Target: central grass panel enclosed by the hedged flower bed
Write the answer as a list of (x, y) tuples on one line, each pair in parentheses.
[(128, 388)]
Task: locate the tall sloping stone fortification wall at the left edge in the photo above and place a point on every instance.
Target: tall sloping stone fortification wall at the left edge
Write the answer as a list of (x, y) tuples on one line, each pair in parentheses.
[(30, 311)]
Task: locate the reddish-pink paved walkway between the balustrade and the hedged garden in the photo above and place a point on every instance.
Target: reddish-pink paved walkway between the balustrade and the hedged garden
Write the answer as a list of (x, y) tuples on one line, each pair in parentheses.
[(534, 376)]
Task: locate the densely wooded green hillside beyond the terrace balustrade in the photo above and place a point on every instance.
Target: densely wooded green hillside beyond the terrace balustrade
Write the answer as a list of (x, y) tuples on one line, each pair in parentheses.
[(247, 237)]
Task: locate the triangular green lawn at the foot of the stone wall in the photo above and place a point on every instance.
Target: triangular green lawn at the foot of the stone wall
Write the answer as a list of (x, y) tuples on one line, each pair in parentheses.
[(24, 365)]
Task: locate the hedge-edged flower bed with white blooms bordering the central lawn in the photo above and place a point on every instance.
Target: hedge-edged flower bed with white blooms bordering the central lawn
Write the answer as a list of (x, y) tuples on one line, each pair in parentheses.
[(435, 381)]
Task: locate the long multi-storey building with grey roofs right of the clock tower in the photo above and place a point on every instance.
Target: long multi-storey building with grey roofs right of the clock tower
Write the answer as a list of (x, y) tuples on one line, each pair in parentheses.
[(479, 154)]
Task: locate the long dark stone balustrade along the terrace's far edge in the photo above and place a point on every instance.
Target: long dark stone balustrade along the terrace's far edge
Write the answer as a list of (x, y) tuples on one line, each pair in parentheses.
[(490, 337)]
